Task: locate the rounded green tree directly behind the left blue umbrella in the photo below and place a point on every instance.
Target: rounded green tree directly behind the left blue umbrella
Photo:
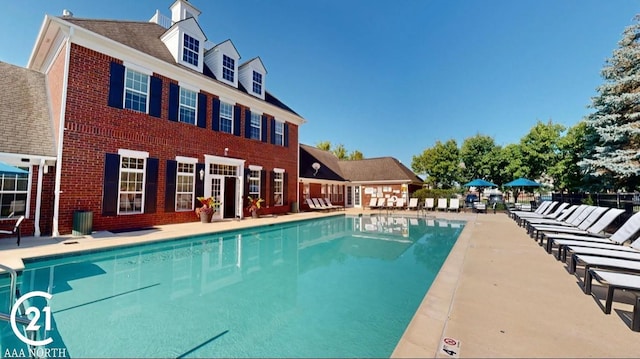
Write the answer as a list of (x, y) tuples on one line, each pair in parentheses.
[(476, 154)]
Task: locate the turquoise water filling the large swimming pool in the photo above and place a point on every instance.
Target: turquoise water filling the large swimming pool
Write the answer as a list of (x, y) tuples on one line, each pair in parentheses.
[(335, 287)]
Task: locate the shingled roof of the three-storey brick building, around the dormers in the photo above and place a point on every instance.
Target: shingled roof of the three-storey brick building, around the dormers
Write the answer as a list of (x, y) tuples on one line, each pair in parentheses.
[(145, 37)]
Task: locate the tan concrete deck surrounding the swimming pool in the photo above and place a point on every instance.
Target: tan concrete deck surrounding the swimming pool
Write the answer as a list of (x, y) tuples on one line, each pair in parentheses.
[(499, 293)]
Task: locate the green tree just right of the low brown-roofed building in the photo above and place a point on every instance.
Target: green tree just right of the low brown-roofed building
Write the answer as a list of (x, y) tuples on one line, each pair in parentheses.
[(440, 164)]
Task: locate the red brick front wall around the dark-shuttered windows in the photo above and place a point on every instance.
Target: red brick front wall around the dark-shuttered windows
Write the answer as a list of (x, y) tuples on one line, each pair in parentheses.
[(94, 129)]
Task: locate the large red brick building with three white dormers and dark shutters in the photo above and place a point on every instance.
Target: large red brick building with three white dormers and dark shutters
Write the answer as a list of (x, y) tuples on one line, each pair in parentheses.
[(143, 118)]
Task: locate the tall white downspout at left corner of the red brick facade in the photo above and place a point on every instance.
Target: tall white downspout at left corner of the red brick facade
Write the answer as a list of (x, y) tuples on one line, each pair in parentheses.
[(63, 110)]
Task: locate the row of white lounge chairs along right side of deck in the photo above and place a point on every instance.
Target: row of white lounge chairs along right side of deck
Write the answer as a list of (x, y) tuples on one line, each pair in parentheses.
[(581, 233)]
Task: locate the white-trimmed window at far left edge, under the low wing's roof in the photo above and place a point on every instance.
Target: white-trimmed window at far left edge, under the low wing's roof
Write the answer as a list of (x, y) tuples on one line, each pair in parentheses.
[(14, 189)]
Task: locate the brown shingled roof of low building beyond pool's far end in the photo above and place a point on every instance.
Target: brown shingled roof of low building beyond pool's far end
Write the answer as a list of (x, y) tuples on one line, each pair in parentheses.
[(377, 169)]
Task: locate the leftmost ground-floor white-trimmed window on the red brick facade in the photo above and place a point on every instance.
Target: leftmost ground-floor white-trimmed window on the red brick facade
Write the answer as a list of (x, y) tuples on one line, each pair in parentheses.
[(131, 192)]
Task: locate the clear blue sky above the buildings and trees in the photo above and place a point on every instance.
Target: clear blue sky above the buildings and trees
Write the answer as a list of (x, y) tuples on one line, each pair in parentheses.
[(390, 78)]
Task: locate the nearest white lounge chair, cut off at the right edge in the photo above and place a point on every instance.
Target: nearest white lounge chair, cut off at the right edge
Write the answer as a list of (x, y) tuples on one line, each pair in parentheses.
[(623, 281)]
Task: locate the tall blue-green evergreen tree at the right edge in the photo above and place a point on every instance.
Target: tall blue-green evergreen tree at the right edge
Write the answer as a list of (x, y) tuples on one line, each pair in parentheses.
[(613, 146)]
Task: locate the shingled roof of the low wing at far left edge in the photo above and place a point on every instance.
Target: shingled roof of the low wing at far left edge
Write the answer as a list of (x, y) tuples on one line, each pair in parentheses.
[(26, 123)]
